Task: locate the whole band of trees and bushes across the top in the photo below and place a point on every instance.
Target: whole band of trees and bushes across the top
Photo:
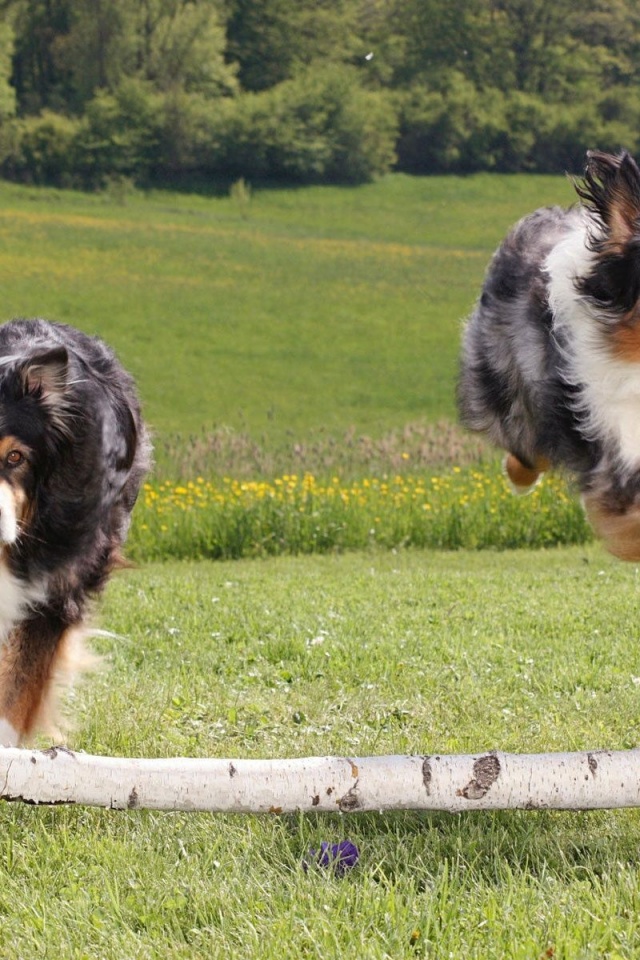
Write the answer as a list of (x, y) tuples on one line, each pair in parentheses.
[(311, 90)]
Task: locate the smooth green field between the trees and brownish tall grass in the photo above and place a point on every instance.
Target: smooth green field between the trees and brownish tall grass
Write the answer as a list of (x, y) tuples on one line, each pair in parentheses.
[(314, 309)]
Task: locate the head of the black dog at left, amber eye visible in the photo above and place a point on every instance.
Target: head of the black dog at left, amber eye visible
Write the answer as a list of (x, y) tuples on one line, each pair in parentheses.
[(34, 422)]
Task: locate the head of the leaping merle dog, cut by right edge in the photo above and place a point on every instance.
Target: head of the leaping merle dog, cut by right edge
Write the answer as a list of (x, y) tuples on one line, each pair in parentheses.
[(610, 192)]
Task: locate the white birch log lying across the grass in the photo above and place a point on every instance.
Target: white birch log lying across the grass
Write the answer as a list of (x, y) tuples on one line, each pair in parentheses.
[(491, 781)]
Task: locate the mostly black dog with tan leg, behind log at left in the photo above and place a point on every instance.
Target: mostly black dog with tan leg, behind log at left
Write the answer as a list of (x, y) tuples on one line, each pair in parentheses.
[(73, 452)]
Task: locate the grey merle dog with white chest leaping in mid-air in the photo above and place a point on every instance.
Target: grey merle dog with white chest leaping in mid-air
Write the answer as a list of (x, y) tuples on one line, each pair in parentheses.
[(550, 366)]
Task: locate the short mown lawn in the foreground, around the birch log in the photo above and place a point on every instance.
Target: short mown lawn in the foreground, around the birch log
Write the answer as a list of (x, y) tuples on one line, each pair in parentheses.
[(364, 653)]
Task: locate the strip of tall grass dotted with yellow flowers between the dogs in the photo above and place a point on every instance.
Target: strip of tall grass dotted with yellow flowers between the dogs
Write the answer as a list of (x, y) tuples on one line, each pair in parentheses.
[(299, 513)]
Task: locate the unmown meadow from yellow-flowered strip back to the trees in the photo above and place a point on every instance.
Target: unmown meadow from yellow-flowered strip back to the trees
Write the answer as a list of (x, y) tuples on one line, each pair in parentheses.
[(310, 333)]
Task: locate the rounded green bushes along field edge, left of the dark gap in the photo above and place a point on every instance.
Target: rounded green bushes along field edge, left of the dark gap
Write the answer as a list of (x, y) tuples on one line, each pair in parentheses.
[(320, 126)]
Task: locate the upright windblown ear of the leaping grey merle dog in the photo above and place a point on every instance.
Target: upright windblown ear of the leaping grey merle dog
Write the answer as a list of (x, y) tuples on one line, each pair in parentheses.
[(611, 190)]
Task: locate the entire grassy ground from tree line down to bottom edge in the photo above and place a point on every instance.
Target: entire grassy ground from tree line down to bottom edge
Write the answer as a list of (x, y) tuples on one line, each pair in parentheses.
[(296, 356)]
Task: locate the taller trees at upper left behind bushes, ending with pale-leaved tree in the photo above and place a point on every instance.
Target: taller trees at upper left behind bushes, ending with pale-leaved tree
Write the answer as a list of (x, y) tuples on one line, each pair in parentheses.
[(69, 50)]
